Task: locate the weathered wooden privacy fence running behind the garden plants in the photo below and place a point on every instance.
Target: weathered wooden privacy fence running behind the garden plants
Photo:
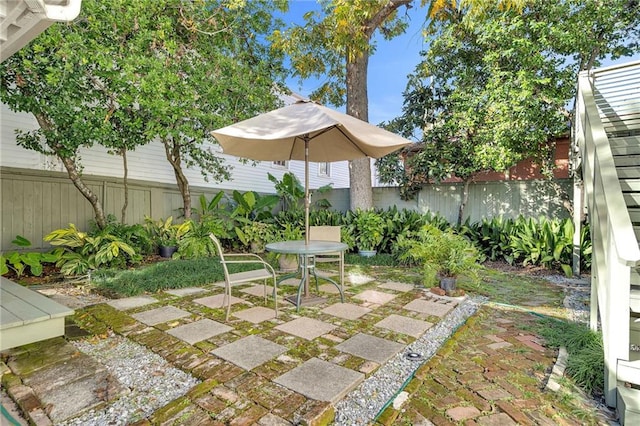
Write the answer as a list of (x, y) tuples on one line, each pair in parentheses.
[(33, 203)]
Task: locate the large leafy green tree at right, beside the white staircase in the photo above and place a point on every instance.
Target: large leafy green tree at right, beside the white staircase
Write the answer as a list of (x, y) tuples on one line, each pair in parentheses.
[(496, 89)]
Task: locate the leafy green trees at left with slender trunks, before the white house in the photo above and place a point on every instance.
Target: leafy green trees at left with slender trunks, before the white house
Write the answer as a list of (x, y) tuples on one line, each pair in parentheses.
[(129, 72)]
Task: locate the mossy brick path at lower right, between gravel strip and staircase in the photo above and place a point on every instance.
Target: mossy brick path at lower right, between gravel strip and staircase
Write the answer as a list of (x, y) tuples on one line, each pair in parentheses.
[(493, 371)]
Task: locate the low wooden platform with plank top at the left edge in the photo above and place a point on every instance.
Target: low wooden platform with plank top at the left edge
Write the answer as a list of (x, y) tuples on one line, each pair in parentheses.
[(27, 316)]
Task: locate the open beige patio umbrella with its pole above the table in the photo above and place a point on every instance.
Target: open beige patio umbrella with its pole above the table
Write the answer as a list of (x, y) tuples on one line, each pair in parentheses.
[(306, 131)]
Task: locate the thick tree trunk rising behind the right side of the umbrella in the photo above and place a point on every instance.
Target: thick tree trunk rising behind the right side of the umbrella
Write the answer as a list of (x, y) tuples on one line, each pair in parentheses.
[(360, 191)]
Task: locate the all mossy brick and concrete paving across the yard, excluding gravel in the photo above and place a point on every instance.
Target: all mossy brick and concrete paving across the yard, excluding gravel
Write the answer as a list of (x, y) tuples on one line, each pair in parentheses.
[(256, 369)]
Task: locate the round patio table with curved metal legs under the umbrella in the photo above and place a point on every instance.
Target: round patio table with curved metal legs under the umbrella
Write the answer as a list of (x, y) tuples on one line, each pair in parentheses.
[(306, 252)]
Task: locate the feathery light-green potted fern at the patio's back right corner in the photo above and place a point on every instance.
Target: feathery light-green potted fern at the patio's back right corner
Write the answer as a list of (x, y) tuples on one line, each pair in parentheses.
[(444, 256)]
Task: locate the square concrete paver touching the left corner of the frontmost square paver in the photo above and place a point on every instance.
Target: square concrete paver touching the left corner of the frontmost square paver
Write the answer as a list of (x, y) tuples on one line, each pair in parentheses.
[(250, 352)]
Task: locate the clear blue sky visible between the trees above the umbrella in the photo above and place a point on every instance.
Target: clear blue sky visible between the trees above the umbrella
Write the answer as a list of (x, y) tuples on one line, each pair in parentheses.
[(388, 66)]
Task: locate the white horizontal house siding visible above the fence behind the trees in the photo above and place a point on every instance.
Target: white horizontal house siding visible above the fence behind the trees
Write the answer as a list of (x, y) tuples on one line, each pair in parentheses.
[(148, 163)]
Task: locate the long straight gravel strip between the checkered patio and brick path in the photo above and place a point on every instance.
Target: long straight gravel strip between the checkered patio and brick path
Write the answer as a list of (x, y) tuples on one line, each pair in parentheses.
[(362, 405)]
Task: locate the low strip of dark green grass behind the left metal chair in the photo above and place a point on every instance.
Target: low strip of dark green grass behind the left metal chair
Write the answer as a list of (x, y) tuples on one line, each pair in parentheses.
[(162, 275)]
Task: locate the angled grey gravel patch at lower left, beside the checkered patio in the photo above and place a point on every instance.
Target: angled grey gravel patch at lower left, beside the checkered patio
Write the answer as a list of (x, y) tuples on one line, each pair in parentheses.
[(151, 381)]
